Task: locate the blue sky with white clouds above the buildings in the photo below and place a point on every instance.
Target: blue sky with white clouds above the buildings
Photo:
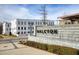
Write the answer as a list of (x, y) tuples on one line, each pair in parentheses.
[(9, 12)]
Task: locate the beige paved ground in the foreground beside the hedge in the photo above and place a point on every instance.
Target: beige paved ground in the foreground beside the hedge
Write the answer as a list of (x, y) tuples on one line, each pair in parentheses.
[(9, 49)]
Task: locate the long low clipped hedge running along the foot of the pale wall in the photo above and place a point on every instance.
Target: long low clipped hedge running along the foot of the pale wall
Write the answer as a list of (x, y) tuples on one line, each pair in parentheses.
[(61, 50)]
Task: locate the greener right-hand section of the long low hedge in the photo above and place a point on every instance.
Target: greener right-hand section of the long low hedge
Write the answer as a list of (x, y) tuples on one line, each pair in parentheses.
[(62, 50)]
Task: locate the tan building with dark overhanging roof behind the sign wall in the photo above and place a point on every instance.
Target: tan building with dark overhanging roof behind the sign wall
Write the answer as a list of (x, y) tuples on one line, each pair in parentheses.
[(69, 19)]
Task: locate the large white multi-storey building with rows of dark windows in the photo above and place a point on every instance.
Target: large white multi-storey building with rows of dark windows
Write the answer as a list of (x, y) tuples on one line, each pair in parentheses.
[(25, 27)]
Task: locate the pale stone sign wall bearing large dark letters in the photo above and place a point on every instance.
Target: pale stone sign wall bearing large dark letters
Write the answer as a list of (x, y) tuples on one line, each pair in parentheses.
[(55, 31)]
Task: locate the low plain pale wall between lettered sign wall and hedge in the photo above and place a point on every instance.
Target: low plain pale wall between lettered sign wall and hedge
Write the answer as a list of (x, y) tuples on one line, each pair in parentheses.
[(55, 41)]
